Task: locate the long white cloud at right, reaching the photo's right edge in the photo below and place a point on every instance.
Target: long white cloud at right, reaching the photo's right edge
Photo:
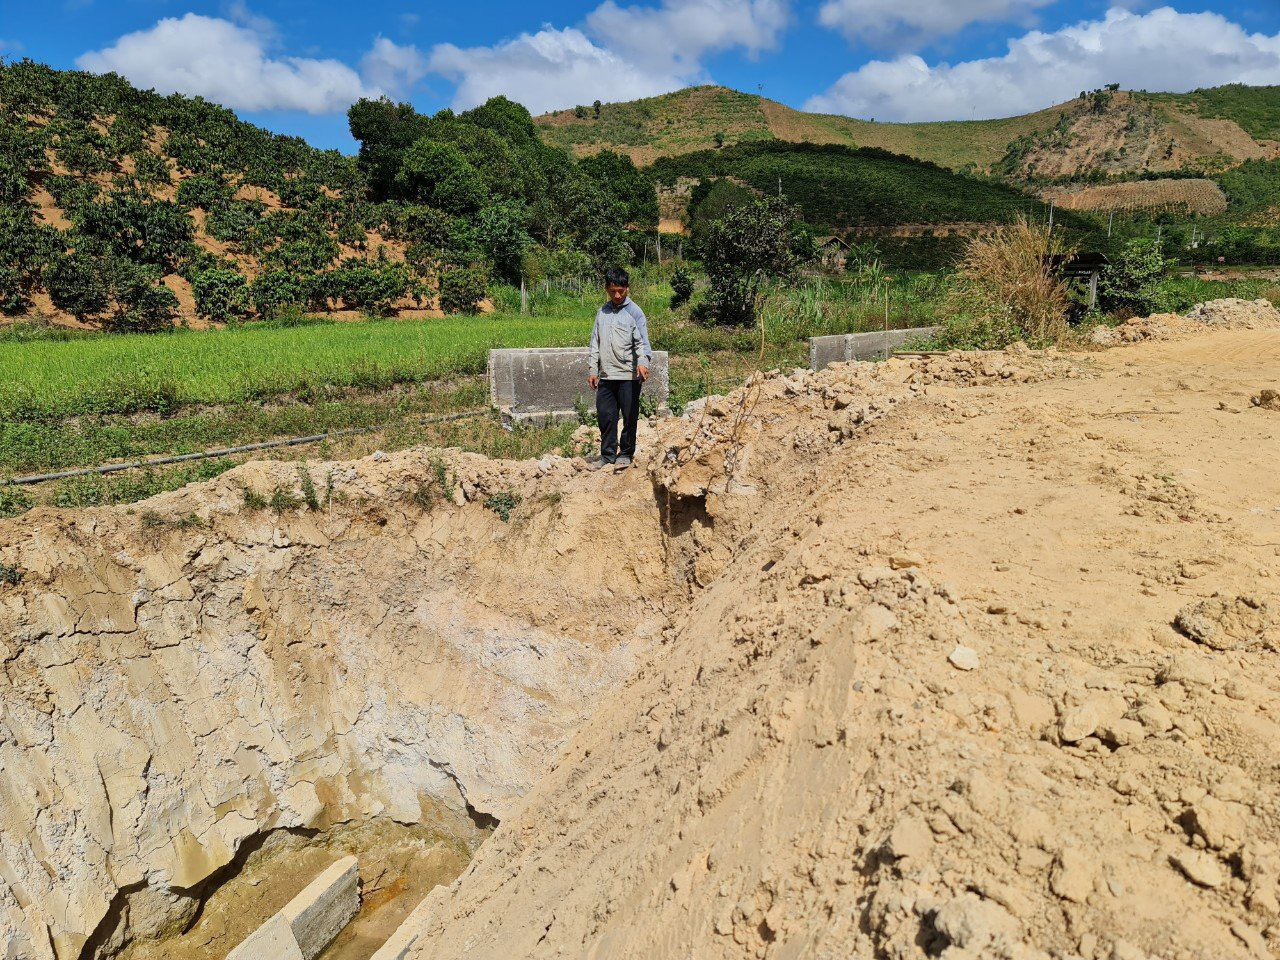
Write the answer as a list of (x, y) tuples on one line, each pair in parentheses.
[(1160, 51)]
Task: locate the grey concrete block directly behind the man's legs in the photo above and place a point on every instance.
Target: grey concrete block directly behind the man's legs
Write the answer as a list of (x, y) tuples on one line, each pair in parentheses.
[(546, 383)]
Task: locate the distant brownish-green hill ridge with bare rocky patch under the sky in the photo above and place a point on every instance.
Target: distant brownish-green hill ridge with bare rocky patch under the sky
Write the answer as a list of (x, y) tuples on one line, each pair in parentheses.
[(1103, 132)]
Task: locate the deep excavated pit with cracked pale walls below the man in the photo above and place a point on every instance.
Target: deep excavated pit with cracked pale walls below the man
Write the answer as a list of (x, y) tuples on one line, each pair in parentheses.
[(195, 685)]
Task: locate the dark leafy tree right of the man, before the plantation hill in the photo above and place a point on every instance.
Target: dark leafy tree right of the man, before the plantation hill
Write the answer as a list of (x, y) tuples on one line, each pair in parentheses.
[(753, 244)]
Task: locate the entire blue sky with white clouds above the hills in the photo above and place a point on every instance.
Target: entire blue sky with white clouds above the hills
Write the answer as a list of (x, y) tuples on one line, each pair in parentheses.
[(294, 66)]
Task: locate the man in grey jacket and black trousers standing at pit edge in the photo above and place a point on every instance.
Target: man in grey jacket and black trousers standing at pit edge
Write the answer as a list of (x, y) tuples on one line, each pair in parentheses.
[(620, 365)]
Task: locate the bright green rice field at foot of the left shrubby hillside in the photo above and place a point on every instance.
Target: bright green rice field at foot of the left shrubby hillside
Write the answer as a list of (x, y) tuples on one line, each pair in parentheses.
[(134, 373)]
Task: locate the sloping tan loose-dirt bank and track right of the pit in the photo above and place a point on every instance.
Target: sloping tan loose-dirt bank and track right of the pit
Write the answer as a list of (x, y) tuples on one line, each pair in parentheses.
[(932, 701)]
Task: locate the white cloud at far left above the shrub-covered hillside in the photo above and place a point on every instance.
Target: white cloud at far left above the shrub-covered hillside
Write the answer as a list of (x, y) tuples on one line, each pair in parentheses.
[(230, 65)]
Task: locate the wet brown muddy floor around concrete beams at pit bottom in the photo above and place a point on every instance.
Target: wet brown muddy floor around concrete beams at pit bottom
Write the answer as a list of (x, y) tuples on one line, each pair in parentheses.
[(399, 866)]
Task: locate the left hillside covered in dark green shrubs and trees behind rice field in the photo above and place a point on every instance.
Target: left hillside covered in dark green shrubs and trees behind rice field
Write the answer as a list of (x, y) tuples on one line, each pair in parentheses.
[(130, 211)]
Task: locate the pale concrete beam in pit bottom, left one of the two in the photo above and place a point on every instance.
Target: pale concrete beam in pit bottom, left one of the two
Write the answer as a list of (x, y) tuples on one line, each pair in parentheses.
[(304, 927)]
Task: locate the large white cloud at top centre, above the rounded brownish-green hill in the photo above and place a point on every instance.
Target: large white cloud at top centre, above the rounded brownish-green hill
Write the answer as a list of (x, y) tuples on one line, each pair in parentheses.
[(620, 53)]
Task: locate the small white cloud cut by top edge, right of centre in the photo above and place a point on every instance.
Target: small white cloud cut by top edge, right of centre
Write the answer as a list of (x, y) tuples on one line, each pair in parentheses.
[(918, 21)]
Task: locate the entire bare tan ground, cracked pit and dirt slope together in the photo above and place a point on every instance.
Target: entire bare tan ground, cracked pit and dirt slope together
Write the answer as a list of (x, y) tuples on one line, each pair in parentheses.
[(950, 657)]
